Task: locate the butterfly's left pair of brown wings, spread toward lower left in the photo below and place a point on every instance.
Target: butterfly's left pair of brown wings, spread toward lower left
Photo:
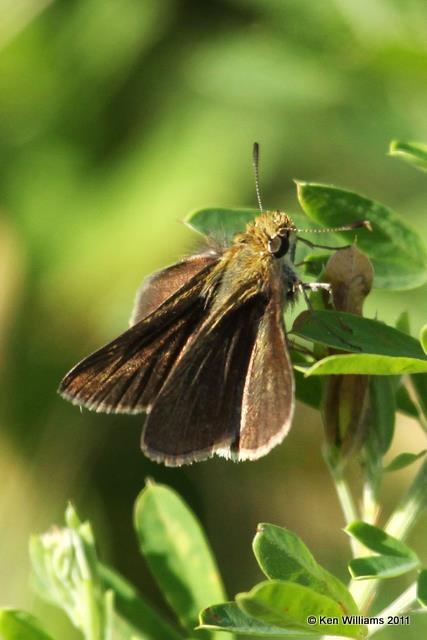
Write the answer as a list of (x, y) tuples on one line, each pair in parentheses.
[(126, 375)]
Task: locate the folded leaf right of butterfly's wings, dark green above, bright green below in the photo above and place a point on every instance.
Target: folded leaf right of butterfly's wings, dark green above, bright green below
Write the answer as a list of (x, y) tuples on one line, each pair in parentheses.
[(380, 349)]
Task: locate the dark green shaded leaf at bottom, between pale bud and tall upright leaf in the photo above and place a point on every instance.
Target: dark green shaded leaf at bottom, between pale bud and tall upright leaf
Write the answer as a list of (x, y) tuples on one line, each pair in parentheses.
[(130, 605)]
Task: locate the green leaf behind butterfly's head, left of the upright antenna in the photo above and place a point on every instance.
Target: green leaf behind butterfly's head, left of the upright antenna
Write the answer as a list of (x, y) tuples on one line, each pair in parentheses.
[(220, 223)]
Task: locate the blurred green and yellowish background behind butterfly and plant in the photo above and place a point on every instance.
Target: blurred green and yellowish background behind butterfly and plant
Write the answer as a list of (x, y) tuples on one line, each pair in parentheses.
[(118, 117)]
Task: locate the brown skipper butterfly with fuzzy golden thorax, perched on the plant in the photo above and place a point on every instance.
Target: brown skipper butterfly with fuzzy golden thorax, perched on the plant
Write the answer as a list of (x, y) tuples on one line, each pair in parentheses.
[(206, 355)]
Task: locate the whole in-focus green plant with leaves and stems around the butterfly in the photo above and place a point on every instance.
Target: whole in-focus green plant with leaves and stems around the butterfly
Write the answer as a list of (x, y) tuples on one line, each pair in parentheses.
[(359, 373)]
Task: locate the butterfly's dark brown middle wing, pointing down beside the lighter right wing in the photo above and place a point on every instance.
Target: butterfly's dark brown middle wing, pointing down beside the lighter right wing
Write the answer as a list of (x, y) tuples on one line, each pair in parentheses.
[(198, 411)]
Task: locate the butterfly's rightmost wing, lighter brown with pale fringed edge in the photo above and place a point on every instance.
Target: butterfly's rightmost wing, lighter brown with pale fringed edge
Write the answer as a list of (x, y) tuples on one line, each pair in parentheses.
[(268, 397)]
